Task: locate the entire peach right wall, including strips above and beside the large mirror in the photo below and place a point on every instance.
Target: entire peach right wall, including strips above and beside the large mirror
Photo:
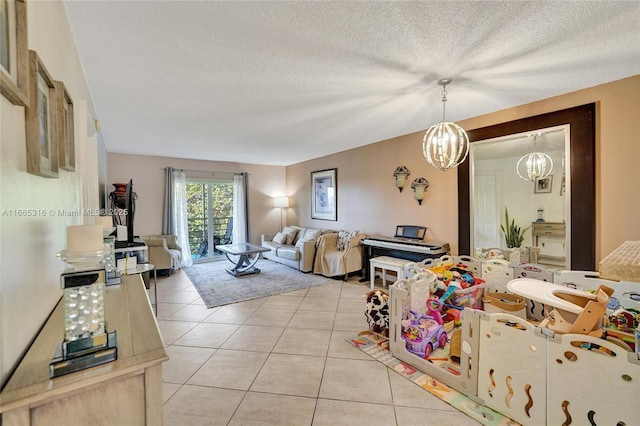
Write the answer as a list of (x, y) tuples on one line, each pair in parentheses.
[(368, 200)]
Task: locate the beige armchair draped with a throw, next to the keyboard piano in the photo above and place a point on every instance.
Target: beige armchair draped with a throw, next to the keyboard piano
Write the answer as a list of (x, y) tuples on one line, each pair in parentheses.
[(332, 262)]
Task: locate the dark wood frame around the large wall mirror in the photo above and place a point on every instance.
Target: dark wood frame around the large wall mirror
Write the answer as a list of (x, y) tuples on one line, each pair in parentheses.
[(582, 154)]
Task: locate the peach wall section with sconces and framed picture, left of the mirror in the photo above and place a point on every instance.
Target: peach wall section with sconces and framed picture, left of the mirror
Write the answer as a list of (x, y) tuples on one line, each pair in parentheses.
[(368, 199)]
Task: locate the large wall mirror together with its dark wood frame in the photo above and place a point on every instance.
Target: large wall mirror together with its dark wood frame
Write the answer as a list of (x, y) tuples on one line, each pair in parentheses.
[(569, 137)]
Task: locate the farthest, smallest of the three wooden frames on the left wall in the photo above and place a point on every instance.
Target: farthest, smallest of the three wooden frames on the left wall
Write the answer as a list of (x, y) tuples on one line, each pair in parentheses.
[(65, 129)]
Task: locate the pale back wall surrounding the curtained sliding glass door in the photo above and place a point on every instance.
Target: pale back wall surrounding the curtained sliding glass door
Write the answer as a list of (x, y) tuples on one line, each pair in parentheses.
[(265, 182)]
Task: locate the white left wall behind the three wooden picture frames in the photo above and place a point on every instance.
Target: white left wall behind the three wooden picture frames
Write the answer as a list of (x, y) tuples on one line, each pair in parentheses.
[(29, 268)]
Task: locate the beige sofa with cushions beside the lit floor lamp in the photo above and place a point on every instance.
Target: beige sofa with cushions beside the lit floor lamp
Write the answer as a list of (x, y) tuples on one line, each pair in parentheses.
[(299, 253)]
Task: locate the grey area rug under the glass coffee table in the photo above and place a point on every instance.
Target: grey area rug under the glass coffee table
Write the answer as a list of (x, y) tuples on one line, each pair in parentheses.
[(217, 287)]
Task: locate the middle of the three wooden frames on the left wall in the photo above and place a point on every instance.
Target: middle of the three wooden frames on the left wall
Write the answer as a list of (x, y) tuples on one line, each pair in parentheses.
[(41, 121)]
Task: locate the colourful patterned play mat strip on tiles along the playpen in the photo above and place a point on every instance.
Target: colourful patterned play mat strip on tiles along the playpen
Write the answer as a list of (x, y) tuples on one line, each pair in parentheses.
[(377, 347)]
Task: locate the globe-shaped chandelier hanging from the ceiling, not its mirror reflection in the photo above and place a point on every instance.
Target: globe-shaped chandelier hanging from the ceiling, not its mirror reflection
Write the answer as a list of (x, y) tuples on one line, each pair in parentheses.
[(445, 145)]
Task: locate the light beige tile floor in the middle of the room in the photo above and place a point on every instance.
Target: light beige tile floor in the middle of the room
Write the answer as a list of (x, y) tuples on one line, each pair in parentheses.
[(282, 360)]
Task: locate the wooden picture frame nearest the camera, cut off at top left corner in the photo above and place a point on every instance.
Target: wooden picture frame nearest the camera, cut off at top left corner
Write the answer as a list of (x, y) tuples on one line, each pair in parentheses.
[(14, 52)]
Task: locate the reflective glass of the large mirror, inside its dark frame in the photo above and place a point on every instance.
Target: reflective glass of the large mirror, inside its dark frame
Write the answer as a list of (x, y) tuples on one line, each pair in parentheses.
[(539, 206)]
